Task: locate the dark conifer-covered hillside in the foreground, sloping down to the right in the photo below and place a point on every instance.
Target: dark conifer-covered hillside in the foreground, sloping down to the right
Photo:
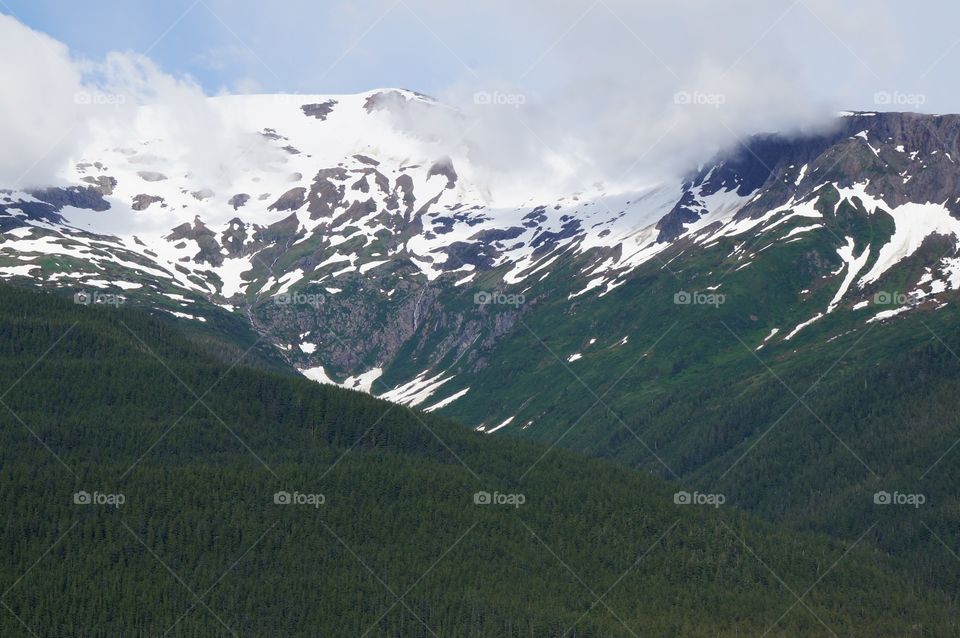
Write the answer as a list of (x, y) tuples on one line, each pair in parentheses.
[(188, 455)]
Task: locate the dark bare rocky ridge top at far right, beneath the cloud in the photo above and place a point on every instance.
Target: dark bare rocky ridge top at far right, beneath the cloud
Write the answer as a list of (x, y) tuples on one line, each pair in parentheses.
[(884, 148)]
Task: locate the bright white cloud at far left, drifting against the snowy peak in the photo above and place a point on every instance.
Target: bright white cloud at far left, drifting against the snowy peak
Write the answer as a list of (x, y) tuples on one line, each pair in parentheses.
[(55, 105)]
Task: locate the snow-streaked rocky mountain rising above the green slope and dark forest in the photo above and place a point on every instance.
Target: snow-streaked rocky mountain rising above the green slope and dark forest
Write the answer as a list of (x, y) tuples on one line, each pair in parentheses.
[(373, 260)]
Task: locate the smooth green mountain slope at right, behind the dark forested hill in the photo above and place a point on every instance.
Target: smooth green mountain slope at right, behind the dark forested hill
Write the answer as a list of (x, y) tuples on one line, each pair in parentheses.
[(803, 431)]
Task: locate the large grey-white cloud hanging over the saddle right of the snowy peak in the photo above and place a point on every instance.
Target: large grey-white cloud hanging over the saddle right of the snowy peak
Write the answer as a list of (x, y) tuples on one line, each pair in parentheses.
[(626, 92)]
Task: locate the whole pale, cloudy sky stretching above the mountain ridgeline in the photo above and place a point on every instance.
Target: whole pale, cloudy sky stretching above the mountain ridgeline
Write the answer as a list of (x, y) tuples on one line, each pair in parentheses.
[(616, 85)]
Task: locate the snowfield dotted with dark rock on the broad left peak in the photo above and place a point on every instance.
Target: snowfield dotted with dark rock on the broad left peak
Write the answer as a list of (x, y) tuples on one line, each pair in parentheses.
[(344, 186)]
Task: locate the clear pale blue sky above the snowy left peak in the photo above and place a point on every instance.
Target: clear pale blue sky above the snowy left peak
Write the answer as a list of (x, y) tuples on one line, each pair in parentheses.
[(292, 46)]
